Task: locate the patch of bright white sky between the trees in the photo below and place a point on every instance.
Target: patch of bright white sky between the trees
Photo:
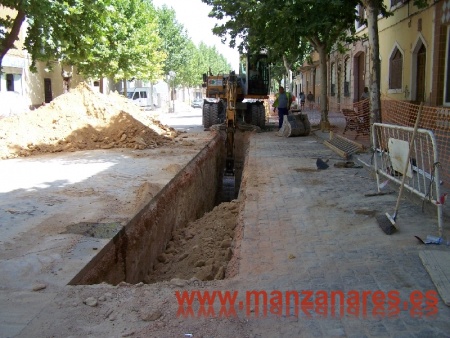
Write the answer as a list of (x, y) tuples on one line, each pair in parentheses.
[(193, 15)]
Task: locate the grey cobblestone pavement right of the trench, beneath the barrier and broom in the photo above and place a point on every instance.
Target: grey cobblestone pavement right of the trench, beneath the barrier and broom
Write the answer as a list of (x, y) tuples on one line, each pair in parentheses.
[(306, 229)]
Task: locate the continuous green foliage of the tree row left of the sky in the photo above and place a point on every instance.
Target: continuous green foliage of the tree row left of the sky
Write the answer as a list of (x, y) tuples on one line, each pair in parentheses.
[(108, 38)]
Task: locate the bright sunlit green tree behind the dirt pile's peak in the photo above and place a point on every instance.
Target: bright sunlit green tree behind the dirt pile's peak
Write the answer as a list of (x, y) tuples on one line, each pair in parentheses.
[(129, 44)]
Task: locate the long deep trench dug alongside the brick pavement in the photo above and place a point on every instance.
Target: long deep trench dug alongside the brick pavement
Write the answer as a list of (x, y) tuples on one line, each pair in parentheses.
[(144, 245)]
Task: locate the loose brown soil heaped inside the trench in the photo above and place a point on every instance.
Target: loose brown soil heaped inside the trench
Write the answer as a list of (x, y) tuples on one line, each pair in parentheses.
[(202, 249)]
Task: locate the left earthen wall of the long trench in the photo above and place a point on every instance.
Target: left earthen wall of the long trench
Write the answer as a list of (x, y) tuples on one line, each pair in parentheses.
[(131, 254)]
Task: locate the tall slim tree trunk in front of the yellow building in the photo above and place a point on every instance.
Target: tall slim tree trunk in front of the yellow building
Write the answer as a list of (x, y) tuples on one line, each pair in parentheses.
[(372, 11)]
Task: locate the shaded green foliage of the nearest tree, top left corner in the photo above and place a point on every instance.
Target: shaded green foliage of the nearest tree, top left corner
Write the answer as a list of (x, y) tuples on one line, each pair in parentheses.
[(53, 27)]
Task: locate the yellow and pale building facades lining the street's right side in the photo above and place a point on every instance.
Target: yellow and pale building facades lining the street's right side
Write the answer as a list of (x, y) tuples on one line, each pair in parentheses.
[(414, 54)]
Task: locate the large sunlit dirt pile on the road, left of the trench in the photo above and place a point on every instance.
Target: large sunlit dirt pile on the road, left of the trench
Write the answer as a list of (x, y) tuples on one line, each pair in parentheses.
[(81, 120)]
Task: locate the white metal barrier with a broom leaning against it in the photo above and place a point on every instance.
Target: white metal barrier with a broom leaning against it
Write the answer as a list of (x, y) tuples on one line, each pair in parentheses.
[(423, 174)]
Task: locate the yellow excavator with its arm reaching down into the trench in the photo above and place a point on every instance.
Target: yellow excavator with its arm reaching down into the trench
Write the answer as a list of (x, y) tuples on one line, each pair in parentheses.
[(231, 98)]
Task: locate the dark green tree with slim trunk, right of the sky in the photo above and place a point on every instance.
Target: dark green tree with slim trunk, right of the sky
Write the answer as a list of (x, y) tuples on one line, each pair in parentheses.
[(283, 28)]
